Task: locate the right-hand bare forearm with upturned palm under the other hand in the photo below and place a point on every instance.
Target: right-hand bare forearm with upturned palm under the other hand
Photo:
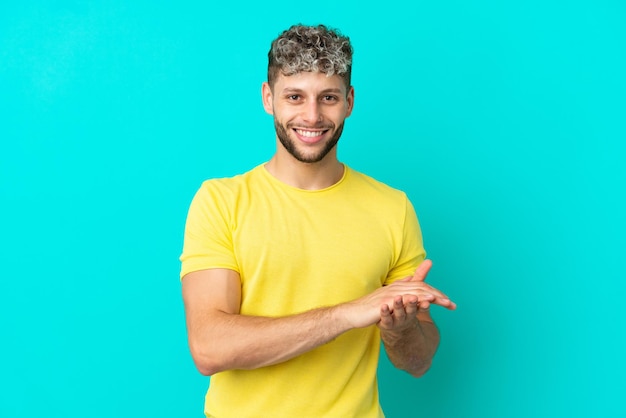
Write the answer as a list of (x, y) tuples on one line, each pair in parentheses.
[(410, 336)]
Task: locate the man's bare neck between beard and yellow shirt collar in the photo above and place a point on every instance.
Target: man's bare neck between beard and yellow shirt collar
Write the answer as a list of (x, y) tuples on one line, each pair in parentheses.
[(306, 176)]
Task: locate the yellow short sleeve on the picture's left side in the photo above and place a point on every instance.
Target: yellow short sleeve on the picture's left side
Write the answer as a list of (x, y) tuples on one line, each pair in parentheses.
[(208, 233)]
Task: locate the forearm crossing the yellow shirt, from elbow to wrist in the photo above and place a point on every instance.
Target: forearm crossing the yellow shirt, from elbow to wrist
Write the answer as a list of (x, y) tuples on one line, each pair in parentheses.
[(233, 341)]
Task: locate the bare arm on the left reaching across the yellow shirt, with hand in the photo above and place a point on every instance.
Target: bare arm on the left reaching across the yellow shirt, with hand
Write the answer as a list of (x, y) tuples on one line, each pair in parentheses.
[(220, 338)]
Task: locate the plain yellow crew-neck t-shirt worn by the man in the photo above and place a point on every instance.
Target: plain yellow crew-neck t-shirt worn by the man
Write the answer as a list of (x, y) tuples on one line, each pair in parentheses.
[(296, 250)]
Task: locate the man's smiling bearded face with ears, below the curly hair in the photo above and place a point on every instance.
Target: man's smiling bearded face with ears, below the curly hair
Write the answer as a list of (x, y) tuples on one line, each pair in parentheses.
[(309, 109)]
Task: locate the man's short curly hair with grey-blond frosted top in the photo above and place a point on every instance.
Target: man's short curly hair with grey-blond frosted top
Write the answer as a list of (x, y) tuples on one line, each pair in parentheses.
[(310, 48)]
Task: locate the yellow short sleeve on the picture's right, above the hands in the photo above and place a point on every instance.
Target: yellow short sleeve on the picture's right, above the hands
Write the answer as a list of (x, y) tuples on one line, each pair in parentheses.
[(411, 253)]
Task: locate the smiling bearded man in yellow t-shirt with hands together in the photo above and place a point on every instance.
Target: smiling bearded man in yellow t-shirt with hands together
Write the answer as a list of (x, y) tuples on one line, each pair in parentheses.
[(293, 272)]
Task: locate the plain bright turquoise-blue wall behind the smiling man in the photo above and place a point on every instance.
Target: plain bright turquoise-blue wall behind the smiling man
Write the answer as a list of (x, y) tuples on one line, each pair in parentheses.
[(503, 121)]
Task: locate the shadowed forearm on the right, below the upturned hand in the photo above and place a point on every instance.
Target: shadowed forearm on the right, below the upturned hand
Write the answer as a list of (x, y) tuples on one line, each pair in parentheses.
[(413, 348)]
